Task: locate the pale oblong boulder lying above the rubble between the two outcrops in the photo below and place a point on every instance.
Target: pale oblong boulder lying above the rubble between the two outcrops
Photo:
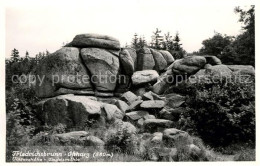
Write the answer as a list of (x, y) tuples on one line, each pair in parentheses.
[(145, 76)]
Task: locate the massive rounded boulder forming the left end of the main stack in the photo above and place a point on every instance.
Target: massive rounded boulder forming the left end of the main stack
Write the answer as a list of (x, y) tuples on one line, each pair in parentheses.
[(62, 69)]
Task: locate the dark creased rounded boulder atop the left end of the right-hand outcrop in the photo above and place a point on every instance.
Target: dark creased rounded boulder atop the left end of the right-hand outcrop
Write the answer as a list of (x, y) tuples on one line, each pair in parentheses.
[(188, 65)]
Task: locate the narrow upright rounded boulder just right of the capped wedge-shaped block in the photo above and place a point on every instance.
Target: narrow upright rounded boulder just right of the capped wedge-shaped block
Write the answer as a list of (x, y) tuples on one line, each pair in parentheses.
[(127, 62)]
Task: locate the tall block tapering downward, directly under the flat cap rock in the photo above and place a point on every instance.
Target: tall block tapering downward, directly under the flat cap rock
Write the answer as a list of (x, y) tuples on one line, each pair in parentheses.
[(103, 67)]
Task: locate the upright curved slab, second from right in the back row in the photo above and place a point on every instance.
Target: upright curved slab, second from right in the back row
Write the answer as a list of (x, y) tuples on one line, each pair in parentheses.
[(160, 62)]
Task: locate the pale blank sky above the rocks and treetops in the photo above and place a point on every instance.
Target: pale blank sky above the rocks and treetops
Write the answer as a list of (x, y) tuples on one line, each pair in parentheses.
[(40, 27)]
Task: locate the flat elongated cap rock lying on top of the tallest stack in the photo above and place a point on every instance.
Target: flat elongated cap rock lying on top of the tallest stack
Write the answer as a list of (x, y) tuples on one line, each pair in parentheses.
[(95, 40)]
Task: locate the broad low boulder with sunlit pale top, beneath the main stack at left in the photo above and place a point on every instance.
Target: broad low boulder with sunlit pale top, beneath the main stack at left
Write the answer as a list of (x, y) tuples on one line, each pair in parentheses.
[(68, 109)]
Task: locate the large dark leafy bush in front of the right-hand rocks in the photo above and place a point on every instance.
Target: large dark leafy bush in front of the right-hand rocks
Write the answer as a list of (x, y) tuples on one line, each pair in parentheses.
[(221, 113)]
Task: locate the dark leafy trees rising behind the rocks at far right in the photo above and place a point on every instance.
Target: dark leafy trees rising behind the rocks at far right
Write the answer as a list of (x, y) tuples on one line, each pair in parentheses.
[(239, 50)]
